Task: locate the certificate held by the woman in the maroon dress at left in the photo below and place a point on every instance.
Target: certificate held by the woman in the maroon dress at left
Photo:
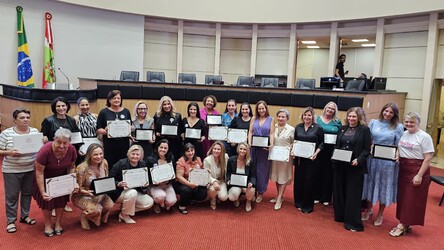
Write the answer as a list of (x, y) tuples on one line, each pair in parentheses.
[(60, 185)]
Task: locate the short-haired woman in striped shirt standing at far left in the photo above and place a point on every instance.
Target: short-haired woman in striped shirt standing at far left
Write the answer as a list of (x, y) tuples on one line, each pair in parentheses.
[(18, 169)]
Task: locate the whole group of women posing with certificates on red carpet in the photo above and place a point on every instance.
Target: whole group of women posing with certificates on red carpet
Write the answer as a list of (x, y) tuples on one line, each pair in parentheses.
[(317, 178)]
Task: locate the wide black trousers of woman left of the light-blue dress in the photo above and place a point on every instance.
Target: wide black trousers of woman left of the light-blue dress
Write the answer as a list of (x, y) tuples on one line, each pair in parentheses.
[(347, 194)]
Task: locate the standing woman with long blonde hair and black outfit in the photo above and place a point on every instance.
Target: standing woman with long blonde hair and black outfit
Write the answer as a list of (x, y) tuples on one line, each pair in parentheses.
[(168, 125)]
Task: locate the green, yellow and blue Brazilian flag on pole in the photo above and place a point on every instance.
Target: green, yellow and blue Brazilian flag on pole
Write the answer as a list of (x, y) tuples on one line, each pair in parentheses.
[(24, 69)]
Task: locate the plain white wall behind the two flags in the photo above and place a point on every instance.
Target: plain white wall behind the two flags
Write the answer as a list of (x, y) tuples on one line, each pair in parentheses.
[(88, 43)]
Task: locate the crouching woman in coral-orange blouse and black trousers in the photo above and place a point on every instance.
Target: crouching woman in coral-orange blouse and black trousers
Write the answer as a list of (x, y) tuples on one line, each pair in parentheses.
[(186, 189)]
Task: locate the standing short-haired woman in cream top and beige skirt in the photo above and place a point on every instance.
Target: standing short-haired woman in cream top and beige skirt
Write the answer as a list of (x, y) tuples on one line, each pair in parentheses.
[(282, 171)]
